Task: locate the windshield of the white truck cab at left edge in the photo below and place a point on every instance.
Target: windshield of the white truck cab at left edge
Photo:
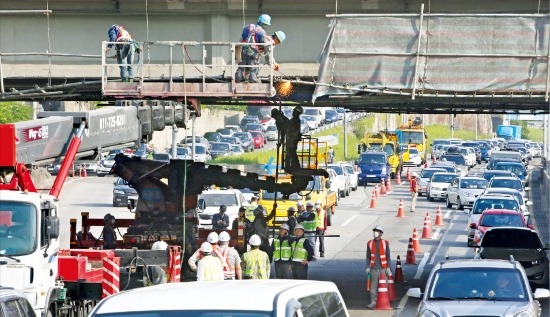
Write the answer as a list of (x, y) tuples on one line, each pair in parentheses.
[(17, 228)]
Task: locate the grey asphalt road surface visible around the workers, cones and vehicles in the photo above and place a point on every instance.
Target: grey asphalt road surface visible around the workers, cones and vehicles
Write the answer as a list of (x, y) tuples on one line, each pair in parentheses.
[(344, 263)]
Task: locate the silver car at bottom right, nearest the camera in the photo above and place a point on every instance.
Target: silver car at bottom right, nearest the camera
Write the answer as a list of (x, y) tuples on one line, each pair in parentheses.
[(478, 287)]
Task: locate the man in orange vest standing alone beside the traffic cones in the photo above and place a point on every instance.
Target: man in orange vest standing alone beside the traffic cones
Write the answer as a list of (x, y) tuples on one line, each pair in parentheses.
[(378, 258)]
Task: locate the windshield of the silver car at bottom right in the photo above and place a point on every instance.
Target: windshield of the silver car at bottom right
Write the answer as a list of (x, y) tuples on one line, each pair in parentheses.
[(478, 283)]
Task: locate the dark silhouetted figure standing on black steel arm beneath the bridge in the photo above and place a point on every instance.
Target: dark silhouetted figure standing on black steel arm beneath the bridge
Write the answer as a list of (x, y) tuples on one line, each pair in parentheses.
[(291, 134)]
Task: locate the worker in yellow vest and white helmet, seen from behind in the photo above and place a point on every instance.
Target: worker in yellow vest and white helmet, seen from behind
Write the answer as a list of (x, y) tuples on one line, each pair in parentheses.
[(256, 263)]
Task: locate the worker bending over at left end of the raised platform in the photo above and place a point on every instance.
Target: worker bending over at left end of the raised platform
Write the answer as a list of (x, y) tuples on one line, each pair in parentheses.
[(124, 50)]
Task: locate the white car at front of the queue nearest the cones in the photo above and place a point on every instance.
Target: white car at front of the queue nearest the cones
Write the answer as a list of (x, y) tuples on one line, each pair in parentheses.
[(463, 191)]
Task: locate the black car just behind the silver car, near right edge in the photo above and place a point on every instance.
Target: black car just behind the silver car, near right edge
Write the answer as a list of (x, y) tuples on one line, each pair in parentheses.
[(524, 245)]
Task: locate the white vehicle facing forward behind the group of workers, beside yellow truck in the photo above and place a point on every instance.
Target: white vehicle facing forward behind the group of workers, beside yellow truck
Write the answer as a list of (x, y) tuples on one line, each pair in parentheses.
[(209, 203)]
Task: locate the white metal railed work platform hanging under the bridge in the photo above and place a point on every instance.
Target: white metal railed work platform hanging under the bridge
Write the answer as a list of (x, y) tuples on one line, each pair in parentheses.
[(180, 69)]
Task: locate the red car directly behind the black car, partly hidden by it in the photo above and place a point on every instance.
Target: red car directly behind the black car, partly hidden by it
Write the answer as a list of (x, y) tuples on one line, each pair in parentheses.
[(497, 218)]
